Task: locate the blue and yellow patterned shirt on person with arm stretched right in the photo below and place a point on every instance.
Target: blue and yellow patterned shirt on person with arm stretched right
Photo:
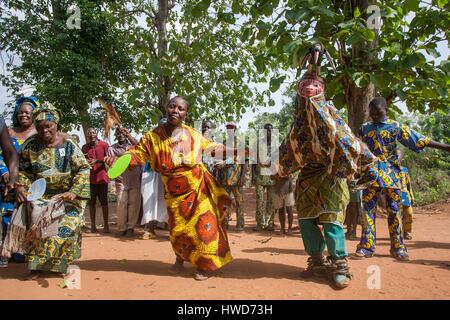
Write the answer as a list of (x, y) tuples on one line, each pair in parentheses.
[(382, 138)]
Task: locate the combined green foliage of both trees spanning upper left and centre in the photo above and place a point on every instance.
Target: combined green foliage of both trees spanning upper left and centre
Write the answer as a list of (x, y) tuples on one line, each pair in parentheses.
[(121, 53)]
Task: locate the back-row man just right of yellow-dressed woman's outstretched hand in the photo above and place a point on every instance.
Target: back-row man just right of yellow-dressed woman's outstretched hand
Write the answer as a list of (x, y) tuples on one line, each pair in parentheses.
[(265, 211)]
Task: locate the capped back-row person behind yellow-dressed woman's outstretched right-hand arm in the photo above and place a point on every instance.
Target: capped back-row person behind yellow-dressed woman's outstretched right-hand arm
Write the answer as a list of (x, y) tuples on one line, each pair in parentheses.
[(231, 175)]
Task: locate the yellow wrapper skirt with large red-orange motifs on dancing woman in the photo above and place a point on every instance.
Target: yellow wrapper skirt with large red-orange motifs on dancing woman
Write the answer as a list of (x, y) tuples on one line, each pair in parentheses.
[(196, 206)]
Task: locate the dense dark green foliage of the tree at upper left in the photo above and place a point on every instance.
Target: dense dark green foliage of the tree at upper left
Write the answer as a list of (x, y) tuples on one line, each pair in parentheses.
[(69, 67)]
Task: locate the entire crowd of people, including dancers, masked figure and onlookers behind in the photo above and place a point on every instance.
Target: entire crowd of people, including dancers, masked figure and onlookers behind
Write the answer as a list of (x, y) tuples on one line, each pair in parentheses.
[(330, 174)]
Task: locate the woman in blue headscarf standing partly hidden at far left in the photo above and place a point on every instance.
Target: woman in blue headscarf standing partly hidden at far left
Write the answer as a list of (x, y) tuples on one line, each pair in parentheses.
[(22, 129)]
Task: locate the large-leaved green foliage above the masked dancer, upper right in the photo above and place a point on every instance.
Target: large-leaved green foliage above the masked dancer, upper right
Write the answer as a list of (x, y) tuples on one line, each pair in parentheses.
[(392, 58)]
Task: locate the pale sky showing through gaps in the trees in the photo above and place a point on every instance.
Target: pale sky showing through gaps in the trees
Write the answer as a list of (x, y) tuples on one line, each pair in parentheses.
[(248, 116)]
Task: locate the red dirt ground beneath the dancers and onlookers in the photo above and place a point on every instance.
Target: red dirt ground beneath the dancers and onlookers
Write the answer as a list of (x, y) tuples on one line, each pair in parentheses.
[(122, 268)]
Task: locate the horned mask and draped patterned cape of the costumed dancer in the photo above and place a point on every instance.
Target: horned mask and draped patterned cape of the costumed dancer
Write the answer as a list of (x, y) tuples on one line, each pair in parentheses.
[(327, 137)]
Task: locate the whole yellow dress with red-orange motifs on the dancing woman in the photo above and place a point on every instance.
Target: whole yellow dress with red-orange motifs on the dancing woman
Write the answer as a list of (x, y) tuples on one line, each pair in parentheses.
[(196, 203)]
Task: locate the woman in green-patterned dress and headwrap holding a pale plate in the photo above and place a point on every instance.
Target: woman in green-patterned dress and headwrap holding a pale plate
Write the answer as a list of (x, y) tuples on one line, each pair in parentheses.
[(50, 155)]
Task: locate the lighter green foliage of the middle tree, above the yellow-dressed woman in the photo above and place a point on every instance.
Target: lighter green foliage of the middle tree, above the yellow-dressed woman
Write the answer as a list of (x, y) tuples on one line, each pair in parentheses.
[(205, 60)]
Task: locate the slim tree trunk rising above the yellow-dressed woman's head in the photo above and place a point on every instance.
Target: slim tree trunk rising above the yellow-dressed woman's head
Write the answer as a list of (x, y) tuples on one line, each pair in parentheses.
[(163, 81)]
